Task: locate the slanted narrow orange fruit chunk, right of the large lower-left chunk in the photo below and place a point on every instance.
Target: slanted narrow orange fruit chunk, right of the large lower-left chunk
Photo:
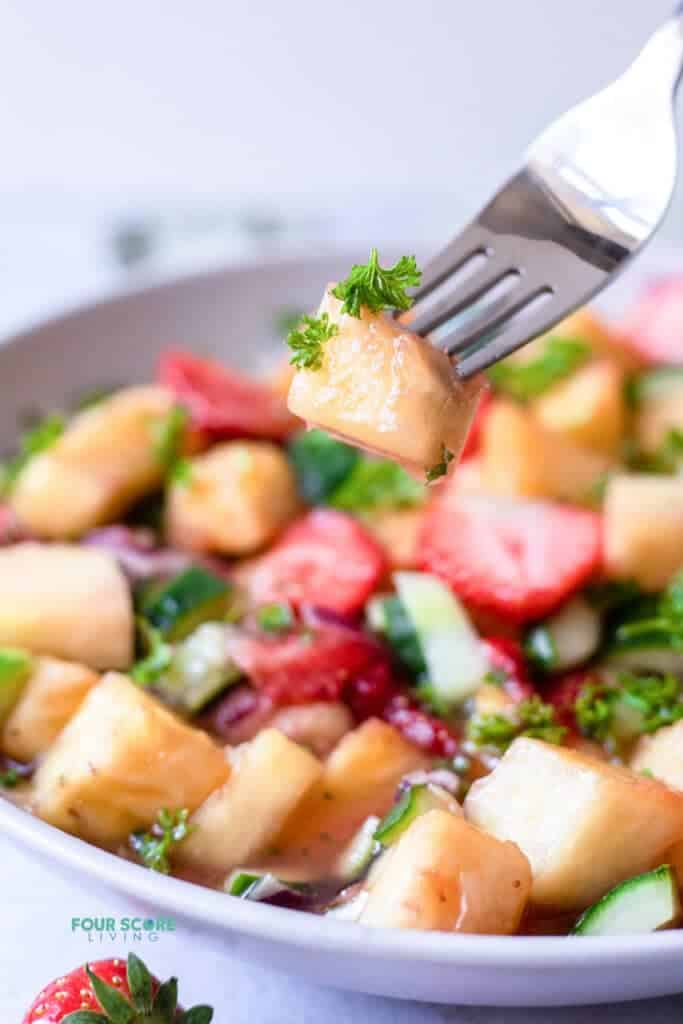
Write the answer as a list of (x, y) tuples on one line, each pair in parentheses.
[(270, 777)]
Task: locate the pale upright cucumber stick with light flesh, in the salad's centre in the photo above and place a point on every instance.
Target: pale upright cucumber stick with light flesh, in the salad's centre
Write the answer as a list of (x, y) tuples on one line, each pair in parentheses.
[(453, 654)]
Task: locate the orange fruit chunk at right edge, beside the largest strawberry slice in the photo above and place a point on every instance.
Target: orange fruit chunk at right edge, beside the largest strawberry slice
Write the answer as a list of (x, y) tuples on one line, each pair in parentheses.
[(644, 529)]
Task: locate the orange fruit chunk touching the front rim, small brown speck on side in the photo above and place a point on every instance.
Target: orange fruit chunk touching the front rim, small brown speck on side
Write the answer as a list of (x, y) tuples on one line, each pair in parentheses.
[(447, 876)]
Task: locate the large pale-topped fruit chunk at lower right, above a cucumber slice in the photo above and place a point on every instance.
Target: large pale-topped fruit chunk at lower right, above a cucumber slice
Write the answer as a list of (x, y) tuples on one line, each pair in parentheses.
[(584, 825)]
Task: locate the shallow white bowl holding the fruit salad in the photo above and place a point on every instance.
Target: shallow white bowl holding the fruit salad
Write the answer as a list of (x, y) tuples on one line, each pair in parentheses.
[(231, 313)]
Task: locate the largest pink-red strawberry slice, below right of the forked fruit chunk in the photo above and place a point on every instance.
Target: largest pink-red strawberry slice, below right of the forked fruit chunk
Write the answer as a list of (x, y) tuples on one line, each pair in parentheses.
[(520, 560)]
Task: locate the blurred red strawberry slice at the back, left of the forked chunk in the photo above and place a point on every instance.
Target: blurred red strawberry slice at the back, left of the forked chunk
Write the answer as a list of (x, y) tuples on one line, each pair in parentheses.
[(226, 404)]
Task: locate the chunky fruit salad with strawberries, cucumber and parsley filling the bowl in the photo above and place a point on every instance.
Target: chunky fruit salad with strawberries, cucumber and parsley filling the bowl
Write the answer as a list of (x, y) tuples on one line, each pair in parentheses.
[(360, 641)]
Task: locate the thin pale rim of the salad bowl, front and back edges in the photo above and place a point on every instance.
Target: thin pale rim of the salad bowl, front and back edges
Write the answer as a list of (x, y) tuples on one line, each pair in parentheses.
[(205, 907)]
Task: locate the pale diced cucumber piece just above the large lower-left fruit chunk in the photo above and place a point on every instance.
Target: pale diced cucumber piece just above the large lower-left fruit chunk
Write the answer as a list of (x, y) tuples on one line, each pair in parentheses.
[(200, 669)]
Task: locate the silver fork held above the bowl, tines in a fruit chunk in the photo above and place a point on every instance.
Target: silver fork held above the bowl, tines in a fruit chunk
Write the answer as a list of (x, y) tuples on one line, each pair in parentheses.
[(594, 190)]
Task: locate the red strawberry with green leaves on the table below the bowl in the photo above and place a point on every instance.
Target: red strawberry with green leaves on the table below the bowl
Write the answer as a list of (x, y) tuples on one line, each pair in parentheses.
[(113, 993)]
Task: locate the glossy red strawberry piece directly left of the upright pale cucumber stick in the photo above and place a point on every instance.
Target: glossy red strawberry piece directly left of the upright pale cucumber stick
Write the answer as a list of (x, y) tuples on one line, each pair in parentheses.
[(305, 665)]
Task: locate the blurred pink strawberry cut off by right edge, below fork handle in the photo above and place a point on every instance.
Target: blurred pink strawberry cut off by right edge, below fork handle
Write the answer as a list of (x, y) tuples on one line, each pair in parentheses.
[(655, 327)]
